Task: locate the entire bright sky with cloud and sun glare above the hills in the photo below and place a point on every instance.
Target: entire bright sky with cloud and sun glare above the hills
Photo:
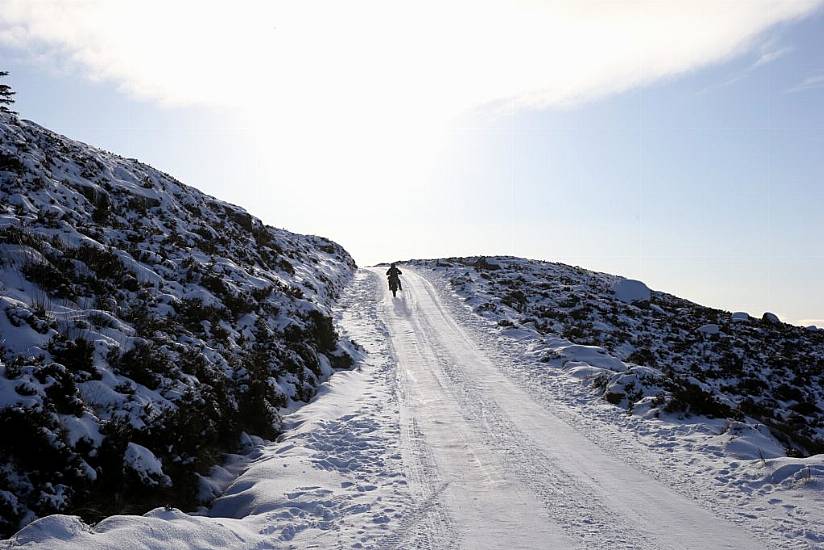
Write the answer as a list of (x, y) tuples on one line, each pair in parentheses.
[(674, 142)]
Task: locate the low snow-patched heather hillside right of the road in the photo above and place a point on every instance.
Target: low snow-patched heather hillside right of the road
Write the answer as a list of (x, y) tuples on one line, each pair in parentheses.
[(652, 353)]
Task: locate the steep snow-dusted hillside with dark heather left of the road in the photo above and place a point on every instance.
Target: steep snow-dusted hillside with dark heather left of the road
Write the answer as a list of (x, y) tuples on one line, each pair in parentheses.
[(144, 327)]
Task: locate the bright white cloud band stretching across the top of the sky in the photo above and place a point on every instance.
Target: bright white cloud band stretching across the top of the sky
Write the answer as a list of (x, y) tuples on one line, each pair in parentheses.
[(444, 56)]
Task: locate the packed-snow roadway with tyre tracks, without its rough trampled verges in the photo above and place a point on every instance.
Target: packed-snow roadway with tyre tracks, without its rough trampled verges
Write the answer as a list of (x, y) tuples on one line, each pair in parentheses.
[(492, 468)]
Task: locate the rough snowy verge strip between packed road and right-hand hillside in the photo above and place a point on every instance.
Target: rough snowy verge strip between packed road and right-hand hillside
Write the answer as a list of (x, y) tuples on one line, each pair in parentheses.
[(622, 436)]
